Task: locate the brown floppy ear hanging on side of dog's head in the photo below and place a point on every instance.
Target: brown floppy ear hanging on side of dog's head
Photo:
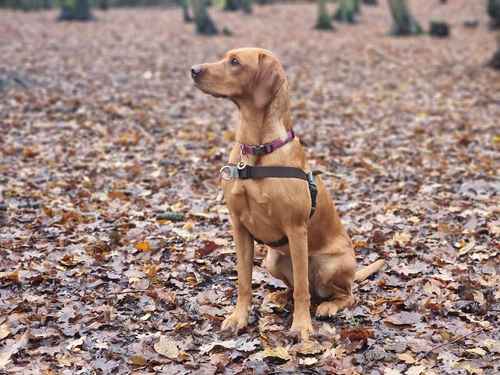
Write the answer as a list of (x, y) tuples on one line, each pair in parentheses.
[(268, 80)]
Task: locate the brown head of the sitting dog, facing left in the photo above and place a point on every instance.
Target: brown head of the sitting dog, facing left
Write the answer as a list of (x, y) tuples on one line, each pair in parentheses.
[(251, 75)]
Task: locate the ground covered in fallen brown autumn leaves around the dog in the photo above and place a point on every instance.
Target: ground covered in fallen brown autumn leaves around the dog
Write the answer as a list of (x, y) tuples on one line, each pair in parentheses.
[(116, 253)]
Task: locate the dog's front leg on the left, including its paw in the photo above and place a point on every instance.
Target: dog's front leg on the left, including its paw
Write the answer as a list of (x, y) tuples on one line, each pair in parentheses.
[(244, 253)]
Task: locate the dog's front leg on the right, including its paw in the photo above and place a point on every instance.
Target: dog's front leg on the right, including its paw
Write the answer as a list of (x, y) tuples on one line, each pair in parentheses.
[(301, 325)]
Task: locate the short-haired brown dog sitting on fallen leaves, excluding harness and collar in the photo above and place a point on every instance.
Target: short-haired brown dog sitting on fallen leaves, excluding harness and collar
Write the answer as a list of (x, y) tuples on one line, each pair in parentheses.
[(318, 259)]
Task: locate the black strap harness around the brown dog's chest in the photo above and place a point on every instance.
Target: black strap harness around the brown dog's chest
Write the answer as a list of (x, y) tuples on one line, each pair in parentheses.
[(244, 172)]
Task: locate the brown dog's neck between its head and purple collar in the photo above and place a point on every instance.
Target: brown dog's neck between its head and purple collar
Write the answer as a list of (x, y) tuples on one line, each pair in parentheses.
[(258, 126)]
